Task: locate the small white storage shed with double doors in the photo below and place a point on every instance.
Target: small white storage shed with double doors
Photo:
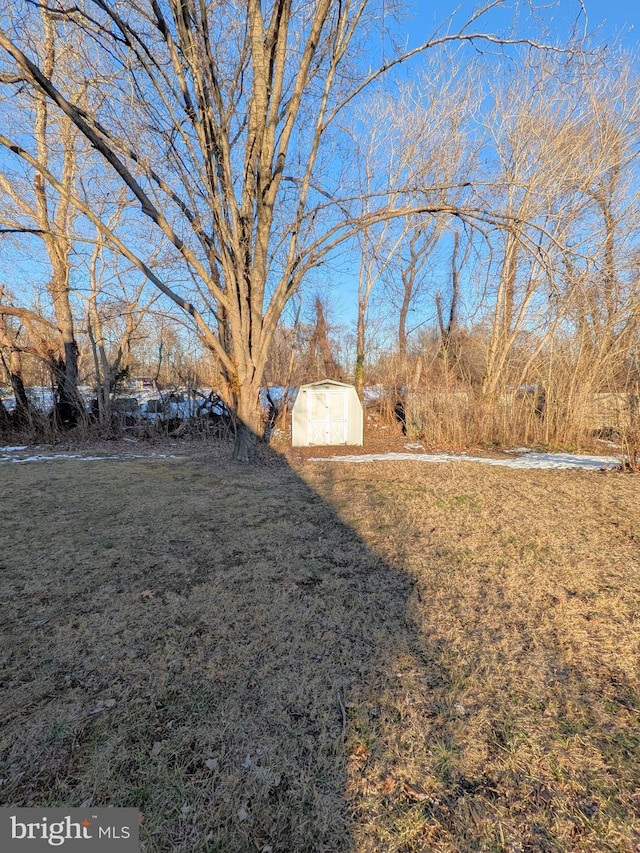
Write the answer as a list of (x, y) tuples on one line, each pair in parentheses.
[(326, 412)]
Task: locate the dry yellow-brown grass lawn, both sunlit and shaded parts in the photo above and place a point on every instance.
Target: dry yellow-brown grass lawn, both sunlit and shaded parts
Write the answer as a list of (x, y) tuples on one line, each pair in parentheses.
[(325, 657)]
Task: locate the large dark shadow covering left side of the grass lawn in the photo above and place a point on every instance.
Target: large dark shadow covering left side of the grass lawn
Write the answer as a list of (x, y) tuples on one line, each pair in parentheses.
[(208, 643)]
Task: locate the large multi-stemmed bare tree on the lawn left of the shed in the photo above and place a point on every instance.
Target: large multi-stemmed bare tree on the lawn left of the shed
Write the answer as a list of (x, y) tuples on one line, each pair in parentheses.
[(222, 129)]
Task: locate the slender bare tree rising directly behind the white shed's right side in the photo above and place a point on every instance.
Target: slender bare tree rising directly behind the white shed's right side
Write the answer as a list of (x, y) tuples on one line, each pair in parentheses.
[(418, 139)]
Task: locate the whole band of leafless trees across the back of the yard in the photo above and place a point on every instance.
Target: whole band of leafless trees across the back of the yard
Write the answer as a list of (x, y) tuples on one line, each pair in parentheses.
[(178, 182)]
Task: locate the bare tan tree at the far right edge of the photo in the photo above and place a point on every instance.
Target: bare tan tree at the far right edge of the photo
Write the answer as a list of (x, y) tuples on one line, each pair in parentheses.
[(601, 288)]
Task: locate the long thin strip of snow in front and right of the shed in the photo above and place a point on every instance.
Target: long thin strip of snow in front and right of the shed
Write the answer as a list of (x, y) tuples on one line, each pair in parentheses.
[(528, 459)]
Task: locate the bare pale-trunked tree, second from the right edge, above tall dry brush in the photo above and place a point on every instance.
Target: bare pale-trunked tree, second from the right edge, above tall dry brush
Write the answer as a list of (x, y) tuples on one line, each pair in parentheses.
[(532, 186)]
